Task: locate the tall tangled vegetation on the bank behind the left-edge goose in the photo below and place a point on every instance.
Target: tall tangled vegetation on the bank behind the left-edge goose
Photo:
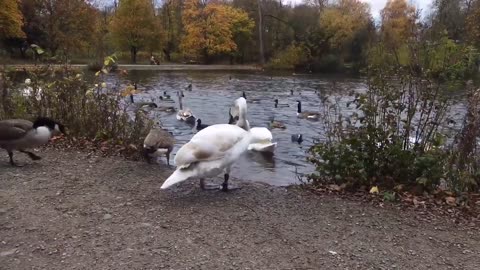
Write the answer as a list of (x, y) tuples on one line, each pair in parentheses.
[(95, 114)]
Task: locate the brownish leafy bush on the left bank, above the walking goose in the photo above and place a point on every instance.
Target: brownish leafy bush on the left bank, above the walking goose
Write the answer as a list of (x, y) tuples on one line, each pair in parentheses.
[(88, 111)]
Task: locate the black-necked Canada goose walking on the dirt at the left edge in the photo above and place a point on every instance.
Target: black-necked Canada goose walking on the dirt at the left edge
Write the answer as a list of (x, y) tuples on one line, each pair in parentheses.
[(20, 134)]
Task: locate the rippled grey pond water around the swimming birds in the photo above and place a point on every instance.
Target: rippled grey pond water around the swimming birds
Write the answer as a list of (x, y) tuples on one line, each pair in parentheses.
[(213, 94)]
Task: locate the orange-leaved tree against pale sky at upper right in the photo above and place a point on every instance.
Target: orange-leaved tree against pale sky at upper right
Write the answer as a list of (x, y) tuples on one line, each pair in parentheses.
[(398, 22)]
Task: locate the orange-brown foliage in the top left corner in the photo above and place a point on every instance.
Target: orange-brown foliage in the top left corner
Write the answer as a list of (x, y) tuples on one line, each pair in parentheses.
[(11, 20)]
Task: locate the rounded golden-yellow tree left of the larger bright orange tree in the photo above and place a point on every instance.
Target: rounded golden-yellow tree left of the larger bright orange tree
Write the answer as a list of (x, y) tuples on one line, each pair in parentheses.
[(135, 26)]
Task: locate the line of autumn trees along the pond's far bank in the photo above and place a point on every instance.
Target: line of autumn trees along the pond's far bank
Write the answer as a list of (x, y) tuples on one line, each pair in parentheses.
[(316, 35)]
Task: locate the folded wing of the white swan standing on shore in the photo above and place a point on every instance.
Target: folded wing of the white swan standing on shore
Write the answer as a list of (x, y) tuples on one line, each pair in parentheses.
[(211, 143)]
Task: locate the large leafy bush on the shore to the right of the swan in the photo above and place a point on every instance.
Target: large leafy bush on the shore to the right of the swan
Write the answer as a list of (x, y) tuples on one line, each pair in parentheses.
[(393, 134)]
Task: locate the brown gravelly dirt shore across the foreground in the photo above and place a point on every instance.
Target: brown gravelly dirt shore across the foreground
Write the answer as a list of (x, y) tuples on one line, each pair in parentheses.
[(73, 210)]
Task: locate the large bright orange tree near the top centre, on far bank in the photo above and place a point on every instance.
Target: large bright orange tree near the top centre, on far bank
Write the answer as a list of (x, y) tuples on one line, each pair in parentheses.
[(210, 28)]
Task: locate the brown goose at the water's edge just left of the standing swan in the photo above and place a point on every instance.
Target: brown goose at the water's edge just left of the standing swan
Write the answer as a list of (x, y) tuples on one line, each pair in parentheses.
[(158, 141)]
